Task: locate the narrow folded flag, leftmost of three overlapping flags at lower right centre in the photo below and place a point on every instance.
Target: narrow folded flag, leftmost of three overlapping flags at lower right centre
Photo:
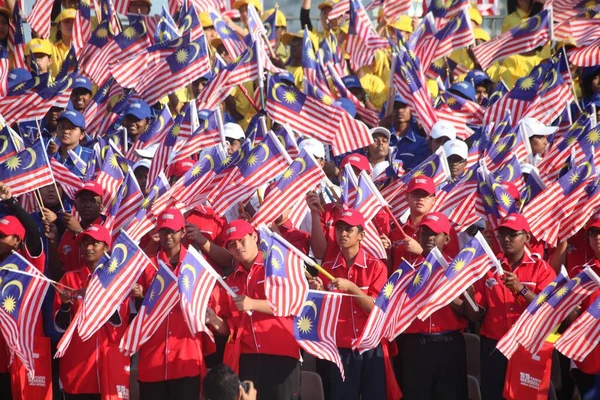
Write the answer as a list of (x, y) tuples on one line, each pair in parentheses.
[(388, 303)]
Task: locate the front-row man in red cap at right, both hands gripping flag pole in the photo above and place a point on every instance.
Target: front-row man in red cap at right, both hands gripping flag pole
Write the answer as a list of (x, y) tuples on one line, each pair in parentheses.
[(502, 299)]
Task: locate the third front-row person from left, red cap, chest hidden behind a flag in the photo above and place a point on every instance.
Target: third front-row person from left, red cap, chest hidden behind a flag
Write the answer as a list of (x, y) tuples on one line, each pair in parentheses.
[(172, 360)]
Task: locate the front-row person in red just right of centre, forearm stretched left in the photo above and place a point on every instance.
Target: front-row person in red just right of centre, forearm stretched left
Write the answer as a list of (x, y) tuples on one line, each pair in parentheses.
[(359, 274)]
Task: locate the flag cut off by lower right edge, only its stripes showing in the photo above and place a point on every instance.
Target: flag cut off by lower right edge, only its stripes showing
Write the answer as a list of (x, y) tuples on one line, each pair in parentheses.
[(582, 337)]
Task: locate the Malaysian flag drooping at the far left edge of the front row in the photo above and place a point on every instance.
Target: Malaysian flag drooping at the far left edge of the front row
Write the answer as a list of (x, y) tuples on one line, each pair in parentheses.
[(21, 297)]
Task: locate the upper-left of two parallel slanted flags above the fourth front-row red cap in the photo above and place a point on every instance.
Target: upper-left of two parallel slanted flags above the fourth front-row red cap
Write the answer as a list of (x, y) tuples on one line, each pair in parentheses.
[(266, 161)]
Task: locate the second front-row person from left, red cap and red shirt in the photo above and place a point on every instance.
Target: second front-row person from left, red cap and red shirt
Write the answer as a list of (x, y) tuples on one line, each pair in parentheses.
[(81, 365)]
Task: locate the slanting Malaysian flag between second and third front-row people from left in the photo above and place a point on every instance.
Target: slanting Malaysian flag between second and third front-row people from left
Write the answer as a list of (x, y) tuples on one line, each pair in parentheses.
[(111, 284)]
